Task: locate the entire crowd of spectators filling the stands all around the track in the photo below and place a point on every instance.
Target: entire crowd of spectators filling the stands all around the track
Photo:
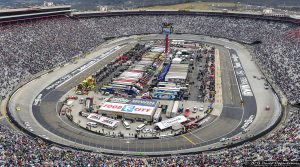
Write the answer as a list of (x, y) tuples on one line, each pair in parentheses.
[(28, 48)]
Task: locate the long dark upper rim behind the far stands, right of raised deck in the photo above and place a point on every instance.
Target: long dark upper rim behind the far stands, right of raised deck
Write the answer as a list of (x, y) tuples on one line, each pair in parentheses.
[(284, 18)]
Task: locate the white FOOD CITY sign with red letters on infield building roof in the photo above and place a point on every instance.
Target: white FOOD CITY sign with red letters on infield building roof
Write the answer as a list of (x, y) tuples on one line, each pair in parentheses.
[(127, 108)]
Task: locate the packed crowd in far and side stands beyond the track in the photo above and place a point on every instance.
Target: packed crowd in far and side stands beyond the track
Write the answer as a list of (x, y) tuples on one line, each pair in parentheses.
[(28, 48)]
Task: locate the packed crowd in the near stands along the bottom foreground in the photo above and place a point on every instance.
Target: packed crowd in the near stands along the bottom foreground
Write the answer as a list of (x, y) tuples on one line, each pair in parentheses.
[(18, 149)]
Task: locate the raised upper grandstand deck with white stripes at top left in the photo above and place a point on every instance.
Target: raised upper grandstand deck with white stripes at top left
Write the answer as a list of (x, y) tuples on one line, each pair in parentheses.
[(11, 15)]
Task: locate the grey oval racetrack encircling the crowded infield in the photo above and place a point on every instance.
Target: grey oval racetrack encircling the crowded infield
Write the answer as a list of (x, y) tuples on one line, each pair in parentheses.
[(38, 100)]
